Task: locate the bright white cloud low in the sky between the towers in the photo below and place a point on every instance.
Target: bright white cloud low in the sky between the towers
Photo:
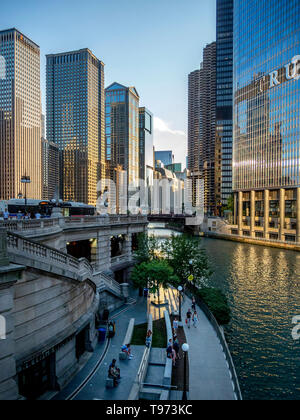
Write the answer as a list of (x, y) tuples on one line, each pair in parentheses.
[(165, 138)]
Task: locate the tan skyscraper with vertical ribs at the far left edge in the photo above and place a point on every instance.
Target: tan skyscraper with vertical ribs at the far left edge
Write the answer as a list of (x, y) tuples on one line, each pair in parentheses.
[(20, 115)]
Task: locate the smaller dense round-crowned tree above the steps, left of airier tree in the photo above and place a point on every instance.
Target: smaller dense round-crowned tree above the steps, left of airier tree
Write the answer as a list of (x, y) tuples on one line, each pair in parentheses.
[(153, 275)]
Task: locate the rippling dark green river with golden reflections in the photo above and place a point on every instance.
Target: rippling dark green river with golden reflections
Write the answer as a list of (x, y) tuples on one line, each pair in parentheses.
[(263, 288)]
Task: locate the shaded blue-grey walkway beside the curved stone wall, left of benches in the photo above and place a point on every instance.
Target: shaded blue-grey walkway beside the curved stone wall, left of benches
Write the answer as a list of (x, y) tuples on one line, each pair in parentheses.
[(95, 388)]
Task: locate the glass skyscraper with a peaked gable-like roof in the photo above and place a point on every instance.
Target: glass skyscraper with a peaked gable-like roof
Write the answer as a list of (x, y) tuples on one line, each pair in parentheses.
[(122, 130)]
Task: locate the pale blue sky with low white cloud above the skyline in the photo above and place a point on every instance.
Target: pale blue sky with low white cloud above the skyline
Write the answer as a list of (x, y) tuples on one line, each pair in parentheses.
[(150, 44)]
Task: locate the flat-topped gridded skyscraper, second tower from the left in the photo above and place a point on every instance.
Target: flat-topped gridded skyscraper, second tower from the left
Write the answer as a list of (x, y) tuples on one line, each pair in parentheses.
[(75, 121)]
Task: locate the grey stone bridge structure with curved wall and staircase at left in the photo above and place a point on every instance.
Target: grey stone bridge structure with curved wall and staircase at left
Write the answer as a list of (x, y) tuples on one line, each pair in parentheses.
[(52, 300)]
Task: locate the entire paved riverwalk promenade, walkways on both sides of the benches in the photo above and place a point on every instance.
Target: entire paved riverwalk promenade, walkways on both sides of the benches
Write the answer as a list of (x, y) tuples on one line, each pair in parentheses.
[(209, 377)]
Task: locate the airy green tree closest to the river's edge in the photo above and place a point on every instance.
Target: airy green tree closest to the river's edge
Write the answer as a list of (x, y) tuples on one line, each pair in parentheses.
[(185, 255)]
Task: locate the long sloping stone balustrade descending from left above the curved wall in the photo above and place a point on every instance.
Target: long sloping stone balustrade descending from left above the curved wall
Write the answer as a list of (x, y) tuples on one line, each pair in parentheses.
[(36, 255)]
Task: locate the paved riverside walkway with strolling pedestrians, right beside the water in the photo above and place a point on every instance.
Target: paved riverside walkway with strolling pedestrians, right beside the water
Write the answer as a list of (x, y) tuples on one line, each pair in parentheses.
[(210, 377)]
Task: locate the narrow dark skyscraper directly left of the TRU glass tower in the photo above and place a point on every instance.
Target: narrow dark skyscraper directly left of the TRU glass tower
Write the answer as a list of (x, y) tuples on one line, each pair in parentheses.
[(224, 97)]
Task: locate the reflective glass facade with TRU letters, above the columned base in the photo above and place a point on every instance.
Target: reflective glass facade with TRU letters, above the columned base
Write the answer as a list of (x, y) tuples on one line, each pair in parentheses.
[(266, 94)]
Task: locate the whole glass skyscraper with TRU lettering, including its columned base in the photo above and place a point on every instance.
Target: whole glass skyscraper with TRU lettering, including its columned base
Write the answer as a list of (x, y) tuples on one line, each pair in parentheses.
[(266, 156)]
